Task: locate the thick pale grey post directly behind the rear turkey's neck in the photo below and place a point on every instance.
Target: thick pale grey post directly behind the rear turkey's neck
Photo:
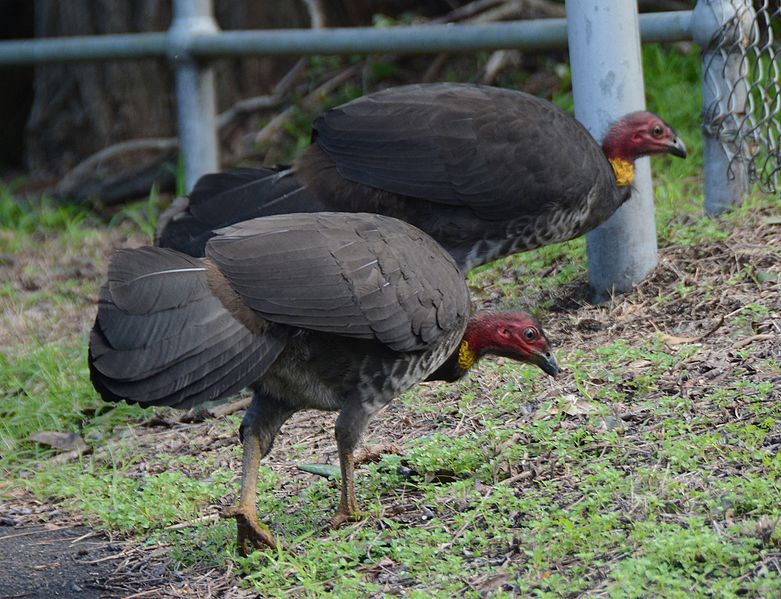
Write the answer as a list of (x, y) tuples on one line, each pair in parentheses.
[(607, 82)]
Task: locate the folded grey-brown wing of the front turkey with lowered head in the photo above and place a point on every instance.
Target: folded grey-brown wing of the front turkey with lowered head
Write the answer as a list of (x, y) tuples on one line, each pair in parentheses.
[(347, 274)]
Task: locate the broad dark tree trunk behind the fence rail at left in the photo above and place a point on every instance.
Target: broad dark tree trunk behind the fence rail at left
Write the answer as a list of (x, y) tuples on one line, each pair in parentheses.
[(79, 109)]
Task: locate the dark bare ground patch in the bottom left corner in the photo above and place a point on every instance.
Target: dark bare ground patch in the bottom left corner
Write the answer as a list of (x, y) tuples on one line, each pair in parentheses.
[(47, 553)]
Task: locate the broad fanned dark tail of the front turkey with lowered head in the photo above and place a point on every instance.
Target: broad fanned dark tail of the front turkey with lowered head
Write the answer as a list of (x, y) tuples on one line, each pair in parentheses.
[(162, 338)]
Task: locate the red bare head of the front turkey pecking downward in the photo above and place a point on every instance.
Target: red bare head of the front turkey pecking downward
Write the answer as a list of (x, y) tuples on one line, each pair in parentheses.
[(515, 335)]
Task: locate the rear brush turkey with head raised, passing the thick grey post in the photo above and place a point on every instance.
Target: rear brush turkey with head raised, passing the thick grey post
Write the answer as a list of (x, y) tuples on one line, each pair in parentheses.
[(485, 171)]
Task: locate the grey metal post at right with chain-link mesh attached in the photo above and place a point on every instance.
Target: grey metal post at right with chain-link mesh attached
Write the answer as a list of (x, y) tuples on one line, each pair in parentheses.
[(722, 28)]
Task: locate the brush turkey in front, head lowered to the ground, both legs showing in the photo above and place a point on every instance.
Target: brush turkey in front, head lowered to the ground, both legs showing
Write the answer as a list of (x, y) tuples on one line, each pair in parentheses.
[(325, 311)]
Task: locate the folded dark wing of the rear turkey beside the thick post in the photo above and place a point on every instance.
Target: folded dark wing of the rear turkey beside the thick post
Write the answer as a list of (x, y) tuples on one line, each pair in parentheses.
[(494, 150)]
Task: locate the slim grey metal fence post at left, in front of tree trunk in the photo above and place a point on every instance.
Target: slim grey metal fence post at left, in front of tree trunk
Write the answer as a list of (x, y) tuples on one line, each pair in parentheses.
[(195, 91)]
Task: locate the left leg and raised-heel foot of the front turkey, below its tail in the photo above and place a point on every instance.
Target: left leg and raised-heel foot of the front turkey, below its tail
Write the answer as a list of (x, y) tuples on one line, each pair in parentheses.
[(260, 425)]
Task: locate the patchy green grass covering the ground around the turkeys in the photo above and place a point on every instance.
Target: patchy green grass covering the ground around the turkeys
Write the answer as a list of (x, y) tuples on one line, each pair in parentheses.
[(636, 476)]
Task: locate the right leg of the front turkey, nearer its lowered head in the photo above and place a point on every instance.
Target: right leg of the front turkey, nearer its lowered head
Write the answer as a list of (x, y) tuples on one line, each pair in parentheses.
[(349, 428)]
